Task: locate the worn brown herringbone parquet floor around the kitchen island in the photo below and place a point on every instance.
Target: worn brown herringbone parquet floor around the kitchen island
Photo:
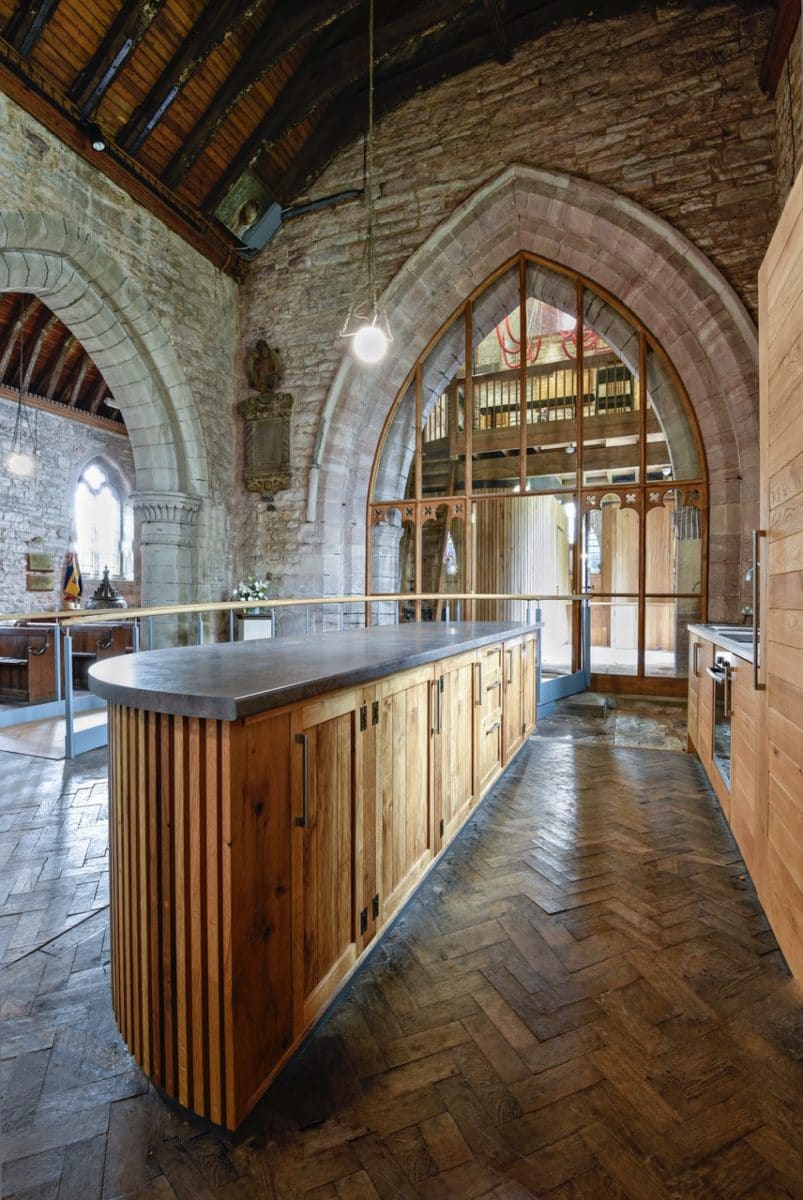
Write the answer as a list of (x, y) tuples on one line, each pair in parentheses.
[(584, 1001)]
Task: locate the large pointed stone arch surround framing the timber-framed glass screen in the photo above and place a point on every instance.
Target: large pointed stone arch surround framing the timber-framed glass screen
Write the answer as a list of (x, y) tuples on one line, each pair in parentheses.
[(669, 285)]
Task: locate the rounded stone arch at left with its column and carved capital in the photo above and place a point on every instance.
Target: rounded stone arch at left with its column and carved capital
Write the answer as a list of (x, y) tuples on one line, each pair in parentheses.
[(88, 291)]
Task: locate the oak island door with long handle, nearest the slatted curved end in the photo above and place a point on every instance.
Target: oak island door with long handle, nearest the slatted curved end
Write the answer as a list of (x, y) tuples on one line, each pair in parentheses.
[(327, 811)]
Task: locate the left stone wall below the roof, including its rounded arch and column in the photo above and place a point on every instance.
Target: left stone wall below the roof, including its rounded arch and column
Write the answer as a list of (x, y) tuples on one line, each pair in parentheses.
[(163, 326)]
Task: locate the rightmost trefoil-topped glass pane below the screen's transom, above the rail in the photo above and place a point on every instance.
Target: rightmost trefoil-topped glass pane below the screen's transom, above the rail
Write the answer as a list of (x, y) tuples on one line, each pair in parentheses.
[(674, 545)]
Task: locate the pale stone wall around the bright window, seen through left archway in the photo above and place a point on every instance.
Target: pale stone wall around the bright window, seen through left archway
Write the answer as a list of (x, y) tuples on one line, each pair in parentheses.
[(38, 512)]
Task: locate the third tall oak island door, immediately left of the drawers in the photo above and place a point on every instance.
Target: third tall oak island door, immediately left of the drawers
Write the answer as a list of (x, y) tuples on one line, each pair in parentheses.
[(452, 733)]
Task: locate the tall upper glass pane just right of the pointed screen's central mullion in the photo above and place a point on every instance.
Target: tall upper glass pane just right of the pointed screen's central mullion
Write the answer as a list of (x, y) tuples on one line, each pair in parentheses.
[(552, 380)]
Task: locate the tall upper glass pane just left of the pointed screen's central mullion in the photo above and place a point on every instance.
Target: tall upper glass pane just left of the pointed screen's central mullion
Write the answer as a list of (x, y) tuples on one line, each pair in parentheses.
[(496, 349)]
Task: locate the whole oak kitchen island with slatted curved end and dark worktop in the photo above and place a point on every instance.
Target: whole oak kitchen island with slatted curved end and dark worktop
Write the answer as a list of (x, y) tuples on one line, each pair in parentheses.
[(273, 806)]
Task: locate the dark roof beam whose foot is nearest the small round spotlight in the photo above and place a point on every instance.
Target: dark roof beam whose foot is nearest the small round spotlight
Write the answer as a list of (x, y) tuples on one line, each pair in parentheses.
[(217, 23)]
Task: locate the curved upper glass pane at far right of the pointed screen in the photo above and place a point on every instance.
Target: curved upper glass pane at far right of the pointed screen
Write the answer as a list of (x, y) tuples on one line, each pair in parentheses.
[(672, 446)]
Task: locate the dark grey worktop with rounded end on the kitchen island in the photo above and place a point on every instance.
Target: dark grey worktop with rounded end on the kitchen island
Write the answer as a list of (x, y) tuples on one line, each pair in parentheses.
[(231, 680)]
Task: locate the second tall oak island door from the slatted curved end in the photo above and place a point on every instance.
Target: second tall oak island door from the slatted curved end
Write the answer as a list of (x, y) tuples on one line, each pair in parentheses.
[(403, 776)]
